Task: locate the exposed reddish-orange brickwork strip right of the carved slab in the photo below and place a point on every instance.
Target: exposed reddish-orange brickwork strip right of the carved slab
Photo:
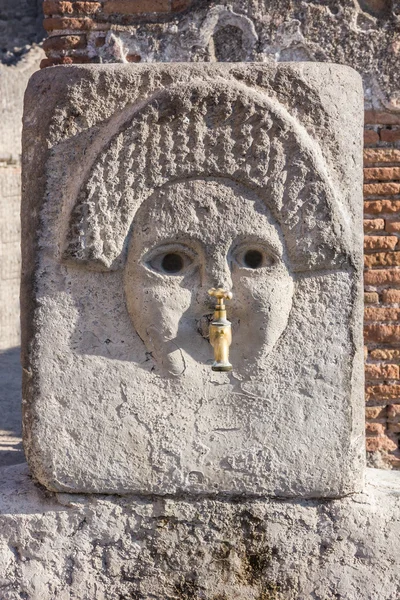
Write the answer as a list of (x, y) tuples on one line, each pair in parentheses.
[(382, 283)]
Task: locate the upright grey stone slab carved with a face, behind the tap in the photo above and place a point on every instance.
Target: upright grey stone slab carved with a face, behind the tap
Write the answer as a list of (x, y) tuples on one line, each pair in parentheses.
[(127, 164)]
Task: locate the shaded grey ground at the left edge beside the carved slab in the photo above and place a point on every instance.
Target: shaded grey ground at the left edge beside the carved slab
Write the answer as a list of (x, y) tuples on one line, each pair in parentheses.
[(11, 451)]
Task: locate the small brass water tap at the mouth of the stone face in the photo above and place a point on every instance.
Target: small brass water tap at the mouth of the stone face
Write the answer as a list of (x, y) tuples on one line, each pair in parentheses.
[(220, 331)]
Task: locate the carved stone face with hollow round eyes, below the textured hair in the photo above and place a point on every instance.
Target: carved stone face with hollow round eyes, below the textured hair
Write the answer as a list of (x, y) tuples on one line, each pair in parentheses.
[(193, 235)]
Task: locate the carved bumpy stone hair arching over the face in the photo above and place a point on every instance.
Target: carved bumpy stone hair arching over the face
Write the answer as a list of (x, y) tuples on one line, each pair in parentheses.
[(202, 130)]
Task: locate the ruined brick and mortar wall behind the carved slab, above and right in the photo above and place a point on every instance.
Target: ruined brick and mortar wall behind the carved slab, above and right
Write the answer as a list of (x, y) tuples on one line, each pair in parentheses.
[(363, 34)]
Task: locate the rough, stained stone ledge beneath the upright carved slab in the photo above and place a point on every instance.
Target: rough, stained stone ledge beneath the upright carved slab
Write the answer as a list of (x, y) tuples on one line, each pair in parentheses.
[(109, 548)]
